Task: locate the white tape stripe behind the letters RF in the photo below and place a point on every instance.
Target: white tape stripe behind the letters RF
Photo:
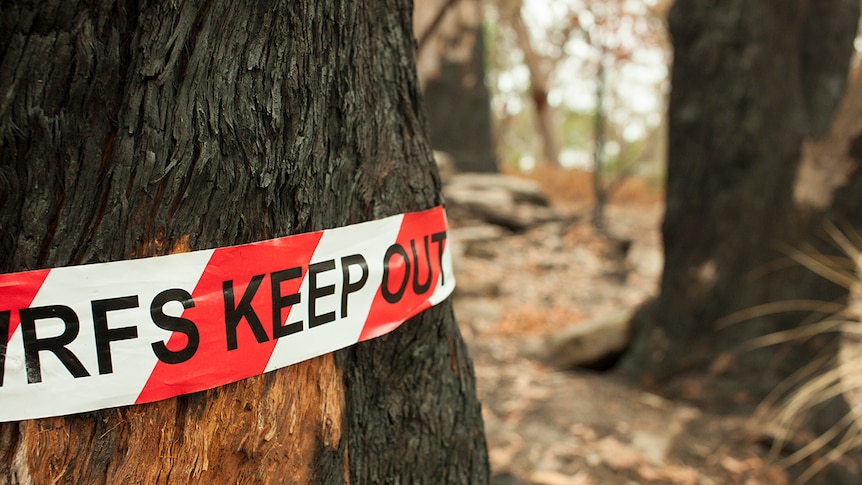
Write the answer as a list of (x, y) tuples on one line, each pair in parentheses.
[(75, 287)]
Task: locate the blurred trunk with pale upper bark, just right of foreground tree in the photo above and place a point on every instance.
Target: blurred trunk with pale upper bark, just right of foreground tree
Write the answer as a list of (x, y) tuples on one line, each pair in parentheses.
[(451, 66)]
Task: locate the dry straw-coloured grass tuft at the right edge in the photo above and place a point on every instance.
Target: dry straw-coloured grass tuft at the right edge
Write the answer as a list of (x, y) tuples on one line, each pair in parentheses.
[(789, 405)]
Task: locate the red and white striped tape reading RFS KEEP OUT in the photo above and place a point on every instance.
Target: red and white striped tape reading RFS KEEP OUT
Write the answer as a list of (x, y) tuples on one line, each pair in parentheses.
[(82, 338)]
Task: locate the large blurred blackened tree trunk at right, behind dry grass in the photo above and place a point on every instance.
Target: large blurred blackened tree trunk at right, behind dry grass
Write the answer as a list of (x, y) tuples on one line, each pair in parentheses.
[(751, 83)]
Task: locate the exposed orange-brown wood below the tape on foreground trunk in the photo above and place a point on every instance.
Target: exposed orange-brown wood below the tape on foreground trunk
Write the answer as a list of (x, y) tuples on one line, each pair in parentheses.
[(227, 434)]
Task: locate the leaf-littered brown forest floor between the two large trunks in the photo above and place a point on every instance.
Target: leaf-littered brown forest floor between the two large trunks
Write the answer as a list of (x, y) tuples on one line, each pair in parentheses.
[(549, 426)]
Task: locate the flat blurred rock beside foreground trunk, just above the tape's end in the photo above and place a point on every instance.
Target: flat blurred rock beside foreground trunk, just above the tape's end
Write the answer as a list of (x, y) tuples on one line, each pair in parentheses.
[(503, 200)]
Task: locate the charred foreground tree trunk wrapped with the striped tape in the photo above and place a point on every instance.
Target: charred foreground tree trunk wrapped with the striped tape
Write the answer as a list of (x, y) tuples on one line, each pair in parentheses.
[(132, 129)]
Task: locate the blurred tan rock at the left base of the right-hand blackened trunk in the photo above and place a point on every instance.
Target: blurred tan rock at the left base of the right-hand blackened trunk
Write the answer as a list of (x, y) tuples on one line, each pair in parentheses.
[(593, 344)]
